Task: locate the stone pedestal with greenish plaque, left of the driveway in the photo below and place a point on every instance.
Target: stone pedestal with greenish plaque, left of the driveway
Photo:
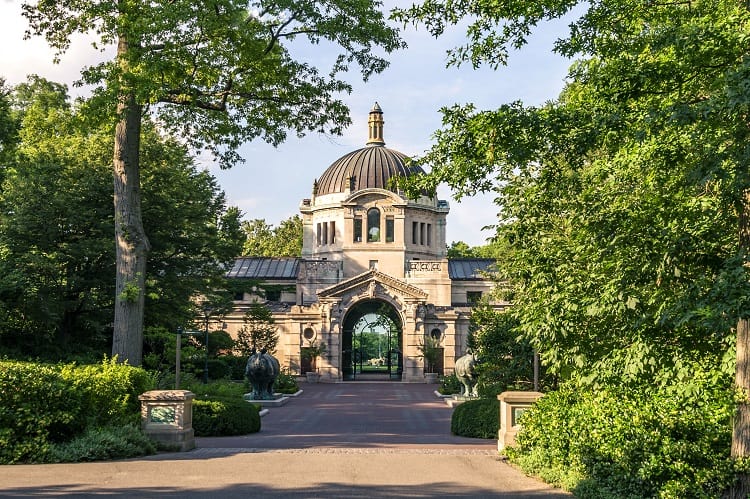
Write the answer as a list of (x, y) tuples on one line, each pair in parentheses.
[(167, 417)]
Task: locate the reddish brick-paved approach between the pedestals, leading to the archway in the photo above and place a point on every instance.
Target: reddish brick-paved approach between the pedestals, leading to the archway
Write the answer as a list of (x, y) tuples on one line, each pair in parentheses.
[(358, 414)]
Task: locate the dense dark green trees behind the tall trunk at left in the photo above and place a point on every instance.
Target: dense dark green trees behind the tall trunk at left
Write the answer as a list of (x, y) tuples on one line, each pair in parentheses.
[(56, 228)]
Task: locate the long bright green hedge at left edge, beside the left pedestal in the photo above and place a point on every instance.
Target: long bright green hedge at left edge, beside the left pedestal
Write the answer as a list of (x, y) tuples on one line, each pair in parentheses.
[(41, 404)]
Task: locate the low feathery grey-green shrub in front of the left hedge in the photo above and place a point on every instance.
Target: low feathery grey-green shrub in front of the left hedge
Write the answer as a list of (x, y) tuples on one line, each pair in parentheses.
[(99, 444)]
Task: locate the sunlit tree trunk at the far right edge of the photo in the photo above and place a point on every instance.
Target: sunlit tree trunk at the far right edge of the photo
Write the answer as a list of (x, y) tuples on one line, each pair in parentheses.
[(741, 428)]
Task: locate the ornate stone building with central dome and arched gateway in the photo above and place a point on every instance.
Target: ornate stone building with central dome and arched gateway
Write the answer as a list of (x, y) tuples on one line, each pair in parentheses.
[(373, 282)]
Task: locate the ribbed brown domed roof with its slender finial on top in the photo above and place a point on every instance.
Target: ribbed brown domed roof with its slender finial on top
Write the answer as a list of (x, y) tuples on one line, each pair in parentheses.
[(369, 167)]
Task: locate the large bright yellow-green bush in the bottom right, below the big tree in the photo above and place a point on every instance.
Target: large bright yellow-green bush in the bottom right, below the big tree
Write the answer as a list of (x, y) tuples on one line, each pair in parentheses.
[(631, 442)]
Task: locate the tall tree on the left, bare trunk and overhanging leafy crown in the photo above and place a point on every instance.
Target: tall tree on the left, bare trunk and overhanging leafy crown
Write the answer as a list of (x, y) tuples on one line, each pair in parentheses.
[(215, 74)]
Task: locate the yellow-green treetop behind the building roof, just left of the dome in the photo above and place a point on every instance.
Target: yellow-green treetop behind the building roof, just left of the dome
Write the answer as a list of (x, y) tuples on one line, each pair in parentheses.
[(266, 240)]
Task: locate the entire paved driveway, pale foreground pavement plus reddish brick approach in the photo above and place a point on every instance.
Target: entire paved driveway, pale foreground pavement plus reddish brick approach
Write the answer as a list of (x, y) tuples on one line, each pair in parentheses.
[(349, 440)]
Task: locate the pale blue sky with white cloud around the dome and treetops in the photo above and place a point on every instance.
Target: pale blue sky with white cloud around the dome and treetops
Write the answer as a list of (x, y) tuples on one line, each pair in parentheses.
[(272, 181)]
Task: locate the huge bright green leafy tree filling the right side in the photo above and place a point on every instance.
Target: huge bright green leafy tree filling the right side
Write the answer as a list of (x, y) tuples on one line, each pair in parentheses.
[(645, 150)]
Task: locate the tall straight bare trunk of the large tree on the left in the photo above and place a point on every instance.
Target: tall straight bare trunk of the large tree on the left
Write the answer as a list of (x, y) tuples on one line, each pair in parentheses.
[(132, 245)]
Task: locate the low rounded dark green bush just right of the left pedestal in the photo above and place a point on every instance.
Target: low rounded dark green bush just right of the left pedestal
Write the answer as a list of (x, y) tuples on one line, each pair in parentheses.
[(224, 417)]
